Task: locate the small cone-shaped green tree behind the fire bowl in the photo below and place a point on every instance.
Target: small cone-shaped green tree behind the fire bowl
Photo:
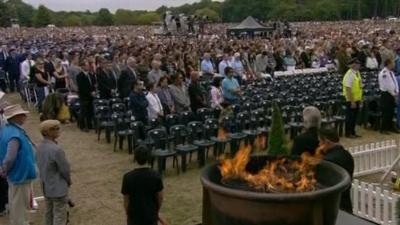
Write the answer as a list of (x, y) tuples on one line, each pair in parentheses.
[(277, 143)]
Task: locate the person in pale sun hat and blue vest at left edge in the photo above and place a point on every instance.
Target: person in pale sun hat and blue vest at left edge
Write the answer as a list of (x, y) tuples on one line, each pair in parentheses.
[(17, 163)]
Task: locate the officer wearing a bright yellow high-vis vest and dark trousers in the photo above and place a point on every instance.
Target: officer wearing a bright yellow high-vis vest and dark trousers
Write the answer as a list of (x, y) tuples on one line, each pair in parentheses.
[(353, 92)]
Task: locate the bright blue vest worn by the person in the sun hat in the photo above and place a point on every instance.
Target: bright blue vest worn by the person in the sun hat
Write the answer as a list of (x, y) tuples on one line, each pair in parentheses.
[(23, 169)]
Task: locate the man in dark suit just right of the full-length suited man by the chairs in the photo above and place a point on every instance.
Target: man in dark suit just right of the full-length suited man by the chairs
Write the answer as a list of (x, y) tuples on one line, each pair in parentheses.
[(106, 79)]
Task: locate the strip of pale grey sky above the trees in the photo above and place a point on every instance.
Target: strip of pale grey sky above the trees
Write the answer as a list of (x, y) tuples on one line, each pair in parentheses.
[(112, 5)]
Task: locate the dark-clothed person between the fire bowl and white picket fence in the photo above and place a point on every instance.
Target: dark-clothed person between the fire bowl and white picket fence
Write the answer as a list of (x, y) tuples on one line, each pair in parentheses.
[(336, 154)]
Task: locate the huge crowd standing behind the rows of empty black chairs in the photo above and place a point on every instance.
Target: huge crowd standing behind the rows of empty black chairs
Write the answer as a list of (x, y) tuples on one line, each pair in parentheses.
[(87, 62)]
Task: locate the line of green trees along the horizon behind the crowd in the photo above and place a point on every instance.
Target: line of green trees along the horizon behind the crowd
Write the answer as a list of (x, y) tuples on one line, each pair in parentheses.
[(227, 11)]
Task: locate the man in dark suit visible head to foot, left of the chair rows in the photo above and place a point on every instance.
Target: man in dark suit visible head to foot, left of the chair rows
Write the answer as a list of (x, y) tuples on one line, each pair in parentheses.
[(86, 91)]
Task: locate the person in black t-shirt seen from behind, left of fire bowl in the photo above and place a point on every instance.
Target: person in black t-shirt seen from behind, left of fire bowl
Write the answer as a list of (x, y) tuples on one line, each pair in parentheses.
[(143, 191)]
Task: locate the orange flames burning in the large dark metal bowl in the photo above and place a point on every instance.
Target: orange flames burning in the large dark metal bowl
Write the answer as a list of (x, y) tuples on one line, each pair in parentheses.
[(281, 175)]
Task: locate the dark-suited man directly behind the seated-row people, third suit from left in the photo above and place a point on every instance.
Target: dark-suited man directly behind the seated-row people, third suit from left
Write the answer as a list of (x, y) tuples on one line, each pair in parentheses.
[(127, 77)]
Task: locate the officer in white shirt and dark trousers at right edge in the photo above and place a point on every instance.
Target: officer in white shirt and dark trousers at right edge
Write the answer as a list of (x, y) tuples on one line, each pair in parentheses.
[(389, 91)]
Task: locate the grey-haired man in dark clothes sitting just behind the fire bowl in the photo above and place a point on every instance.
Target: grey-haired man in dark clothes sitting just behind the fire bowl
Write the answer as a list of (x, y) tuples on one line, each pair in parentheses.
[(308, 141)]
